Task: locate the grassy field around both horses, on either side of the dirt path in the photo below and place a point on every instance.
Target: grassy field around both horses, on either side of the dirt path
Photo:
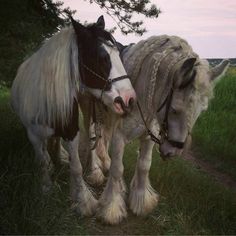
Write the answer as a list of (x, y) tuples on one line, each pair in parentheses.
[(191, 201)]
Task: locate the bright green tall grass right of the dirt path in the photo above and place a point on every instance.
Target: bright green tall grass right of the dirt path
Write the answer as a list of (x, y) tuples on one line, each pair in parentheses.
[(214, 133)]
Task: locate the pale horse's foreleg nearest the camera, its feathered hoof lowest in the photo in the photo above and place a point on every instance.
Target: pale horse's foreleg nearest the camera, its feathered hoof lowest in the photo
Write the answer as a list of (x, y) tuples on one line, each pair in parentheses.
[(112, 207)]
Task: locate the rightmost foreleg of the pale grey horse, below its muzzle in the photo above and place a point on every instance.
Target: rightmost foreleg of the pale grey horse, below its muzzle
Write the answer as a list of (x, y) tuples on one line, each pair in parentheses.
[(143, 198)]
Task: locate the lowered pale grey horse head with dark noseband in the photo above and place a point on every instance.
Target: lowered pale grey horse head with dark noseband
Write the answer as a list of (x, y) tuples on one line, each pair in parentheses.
[(193, 85)]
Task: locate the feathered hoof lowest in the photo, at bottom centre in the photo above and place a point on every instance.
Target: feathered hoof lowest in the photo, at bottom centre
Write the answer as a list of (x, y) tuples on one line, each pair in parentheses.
[(112, 212)]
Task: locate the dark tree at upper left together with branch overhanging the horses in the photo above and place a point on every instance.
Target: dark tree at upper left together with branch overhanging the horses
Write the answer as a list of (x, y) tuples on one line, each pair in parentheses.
[(25, 24)]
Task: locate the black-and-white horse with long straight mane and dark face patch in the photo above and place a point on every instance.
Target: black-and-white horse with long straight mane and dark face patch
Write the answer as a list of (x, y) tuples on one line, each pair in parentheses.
[(45, 94)]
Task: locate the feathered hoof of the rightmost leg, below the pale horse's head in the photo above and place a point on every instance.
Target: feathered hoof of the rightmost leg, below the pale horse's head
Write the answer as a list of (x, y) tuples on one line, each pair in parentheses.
[(142, 202)]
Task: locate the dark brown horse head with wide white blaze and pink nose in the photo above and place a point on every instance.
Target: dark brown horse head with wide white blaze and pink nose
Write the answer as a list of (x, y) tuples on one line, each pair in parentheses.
[(101, 68)]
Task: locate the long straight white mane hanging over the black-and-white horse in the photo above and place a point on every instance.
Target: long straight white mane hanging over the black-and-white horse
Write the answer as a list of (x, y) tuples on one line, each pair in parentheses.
[(47, 82)]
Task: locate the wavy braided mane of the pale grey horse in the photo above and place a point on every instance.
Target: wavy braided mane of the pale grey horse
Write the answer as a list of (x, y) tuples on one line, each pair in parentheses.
[(155, 59)]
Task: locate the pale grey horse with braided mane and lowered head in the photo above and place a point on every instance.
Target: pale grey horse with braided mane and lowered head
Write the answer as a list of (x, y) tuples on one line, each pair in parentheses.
[(173, 86)]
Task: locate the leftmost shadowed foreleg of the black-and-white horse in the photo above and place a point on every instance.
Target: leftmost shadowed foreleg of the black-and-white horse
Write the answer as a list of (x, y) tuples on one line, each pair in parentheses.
[(38, 137)]
